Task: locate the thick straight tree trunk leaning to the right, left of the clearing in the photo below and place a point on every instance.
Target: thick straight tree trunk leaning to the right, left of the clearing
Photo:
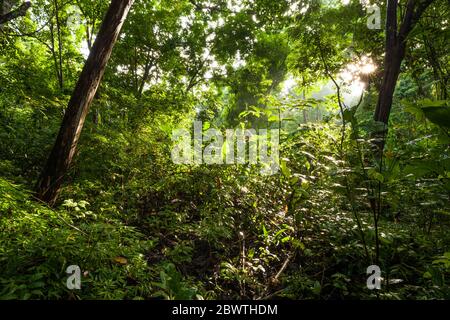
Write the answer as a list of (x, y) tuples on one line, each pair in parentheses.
[(49, 183)]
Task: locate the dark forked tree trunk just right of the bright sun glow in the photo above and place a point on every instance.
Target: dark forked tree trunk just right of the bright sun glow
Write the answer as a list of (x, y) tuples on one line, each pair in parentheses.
[(396, 42)]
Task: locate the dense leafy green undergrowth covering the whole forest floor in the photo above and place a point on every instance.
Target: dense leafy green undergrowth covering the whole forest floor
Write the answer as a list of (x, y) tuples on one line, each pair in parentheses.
[(141, 227)]
